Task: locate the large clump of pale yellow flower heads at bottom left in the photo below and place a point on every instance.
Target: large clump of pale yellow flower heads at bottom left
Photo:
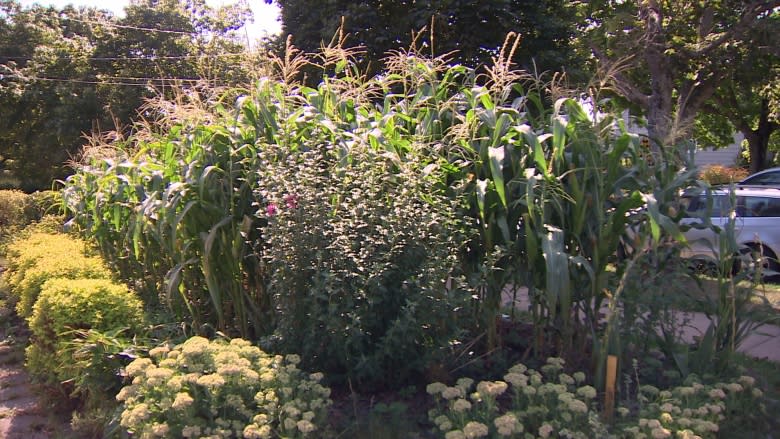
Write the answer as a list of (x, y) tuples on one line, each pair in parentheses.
[(214, 389)]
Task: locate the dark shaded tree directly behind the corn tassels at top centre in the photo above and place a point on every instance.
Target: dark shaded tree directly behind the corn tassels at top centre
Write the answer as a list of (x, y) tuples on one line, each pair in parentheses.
[(476, 30)]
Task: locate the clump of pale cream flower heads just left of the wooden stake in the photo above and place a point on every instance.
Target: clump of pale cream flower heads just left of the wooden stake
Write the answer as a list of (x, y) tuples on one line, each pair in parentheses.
[(526, 404)]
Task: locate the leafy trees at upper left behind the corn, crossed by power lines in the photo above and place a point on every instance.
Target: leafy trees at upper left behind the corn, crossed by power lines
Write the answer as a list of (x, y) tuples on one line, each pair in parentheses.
[(64, 73)]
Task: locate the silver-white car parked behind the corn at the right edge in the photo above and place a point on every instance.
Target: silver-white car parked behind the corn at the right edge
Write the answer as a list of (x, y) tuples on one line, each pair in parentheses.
[(756, 213)]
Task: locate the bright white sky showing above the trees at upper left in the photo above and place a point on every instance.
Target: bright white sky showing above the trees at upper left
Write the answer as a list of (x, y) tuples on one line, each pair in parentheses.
[(266, 16)]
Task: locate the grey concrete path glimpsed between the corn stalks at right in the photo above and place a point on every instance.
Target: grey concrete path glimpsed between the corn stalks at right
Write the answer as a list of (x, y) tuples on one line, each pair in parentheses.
[(763, 342)]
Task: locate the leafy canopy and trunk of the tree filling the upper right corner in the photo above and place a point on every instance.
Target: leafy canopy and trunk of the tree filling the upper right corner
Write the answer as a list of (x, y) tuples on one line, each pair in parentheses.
[(676, 59)]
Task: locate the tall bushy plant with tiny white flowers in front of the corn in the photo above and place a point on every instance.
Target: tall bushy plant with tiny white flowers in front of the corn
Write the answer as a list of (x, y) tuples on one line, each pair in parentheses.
[(363, 256)]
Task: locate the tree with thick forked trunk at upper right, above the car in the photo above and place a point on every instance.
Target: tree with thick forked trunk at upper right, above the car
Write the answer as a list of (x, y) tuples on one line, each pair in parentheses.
[(669, 57)]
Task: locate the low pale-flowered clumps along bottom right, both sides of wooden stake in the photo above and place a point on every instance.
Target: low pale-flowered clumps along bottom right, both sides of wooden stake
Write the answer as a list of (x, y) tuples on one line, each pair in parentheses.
[(550, 403)]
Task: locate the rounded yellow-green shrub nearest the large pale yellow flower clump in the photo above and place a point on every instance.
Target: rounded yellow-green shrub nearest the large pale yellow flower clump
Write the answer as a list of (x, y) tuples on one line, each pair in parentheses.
[(67, 305)]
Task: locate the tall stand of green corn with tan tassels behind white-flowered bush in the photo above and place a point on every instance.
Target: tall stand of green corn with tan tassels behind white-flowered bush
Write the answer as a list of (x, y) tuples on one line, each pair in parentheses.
[(547, 189)]
